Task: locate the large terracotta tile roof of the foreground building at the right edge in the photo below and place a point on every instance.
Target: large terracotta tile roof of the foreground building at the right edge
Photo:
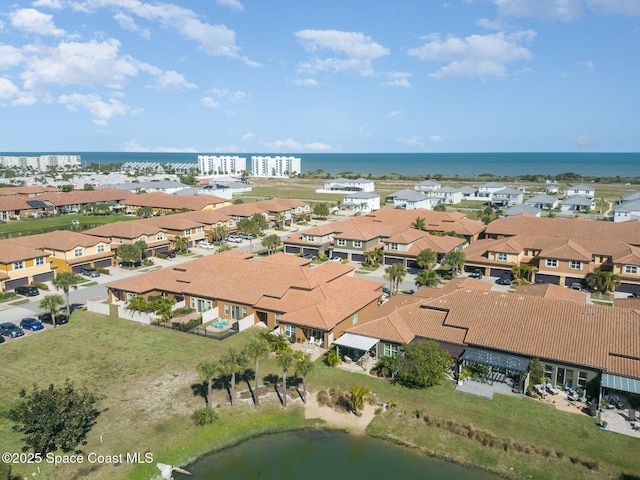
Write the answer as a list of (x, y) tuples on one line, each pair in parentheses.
[(568, 332)]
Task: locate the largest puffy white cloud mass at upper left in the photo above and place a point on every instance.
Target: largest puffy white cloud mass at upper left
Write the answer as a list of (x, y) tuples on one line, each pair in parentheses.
[(73, 63)]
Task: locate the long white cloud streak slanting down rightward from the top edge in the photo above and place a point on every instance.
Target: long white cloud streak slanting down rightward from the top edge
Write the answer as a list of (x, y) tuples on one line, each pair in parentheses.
[(215, 40)]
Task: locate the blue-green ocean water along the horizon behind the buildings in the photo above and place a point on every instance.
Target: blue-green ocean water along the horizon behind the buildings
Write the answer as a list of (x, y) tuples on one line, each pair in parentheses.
[(464, 164)]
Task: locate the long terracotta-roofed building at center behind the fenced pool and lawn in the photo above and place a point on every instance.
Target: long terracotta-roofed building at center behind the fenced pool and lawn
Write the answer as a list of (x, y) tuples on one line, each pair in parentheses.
[(299, 301)]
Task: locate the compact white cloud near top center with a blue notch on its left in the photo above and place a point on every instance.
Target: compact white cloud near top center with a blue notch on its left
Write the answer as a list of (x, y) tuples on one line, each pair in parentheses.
[(355, 51)]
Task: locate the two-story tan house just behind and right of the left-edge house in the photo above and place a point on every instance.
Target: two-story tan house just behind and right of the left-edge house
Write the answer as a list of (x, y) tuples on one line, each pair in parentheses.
[(69, 251)]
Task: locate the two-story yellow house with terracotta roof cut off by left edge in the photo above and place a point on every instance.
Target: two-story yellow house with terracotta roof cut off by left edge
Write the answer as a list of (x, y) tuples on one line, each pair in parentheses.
[(22, 265)]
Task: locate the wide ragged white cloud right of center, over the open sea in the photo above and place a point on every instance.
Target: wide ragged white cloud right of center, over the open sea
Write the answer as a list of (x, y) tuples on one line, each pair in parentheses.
[(475, 55)]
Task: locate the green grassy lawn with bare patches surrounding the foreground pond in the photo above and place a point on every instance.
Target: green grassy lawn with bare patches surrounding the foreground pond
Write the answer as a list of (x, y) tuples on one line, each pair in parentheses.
[(147, 377)]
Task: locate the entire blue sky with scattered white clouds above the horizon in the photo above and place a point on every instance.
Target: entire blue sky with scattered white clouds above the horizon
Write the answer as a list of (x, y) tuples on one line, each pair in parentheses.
[(295, 76)]
